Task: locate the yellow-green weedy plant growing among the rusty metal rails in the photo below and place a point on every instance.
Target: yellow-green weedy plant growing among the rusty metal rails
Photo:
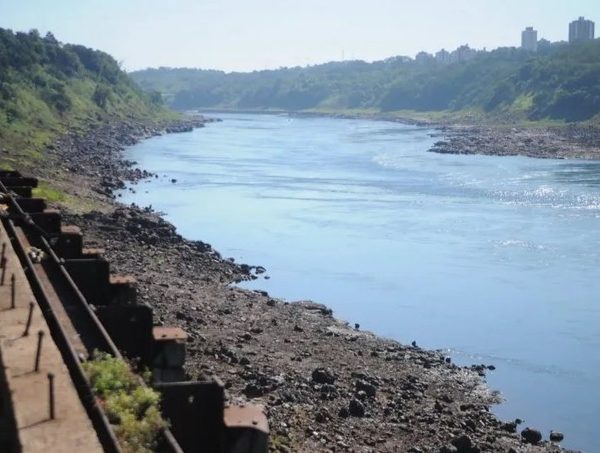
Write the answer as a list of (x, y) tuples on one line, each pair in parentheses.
[(132, 408)]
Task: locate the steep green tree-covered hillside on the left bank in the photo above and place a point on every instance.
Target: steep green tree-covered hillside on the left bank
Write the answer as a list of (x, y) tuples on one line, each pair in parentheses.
[(47, 88)]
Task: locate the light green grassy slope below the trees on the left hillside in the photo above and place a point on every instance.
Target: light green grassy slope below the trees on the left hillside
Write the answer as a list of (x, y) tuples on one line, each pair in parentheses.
[(28, 124)]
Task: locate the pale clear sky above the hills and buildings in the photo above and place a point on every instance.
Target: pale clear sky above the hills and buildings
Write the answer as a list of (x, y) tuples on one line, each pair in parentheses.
[(245, 35)]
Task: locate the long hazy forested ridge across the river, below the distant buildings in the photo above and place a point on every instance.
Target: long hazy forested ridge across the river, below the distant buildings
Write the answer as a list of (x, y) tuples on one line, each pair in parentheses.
[(560, 82)]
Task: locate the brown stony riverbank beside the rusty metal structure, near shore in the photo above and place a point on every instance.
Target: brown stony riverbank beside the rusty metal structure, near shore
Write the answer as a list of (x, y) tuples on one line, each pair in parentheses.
[(326, 386)]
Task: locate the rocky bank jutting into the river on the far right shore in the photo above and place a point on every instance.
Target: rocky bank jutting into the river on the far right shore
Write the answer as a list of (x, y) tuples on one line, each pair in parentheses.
[(572, 142)]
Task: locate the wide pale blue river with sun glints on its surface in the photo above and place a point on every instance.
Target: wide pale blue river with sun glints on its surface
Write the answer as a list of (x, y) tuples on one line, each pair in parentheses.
[(493, 259)]
